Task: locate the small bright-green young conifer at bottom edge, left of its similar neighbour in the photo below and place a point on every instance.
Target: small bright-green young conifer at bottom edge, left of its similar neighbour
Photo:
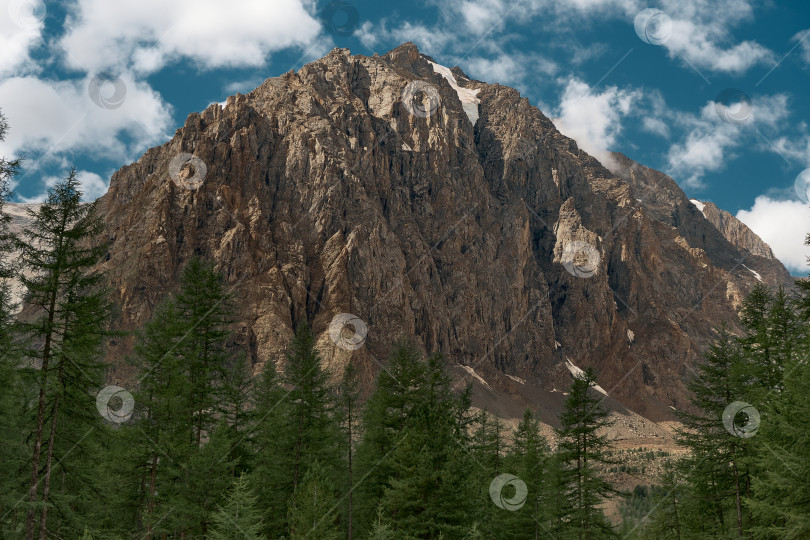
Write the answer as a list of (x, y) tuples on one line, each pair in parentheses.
[(239, 518)]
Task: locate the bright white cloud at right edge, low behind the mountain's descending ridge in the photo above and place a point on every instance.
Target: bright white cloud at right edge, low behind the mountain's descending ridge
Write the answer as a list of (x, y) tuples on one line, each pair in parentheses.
[(783, 225)]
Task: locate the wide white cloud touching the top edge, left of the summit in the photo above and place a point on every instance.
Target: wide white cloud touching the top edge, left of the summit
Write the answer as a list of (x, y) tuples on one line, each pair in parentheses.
[(145, 35)]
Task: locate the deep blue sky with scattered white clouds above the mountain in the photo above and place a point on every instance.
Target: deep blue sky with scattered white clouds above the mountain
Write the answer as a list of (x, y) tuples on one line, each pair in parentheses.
[(714, 93)]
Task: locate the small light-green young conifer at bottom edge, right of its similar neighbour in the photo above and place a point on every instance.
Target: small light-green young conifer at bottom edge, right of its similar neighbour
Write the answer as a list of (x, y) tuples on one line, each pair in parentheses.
[(313, 507)]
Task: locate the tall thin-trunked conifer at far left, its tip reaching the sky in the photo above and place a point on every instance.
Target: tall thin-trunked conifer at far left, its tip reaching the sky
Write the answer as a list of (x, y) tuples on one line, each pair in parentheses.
[(58, 251)]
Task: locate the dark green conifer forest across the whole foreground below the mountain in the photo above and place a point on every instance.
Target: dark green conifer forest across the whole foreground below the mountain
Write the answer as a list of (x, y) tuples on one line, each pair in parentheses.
[(199, 447)]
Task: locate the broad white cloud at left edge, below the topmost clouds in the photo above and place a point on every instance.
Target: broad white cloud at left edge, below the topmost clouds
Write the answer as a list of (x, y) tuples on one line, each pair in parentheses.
[(51, 117)]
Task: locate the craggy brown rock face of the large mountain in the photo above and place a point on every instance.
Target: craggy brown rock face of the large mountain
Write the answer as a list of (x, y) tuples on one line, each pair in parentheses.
[(500, 244)]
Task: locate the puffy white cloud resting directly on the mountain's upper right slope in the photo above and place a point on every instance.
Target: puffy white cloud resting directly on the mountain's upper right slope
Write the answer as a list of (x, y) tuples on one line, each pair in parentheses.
[(594, 119)]
